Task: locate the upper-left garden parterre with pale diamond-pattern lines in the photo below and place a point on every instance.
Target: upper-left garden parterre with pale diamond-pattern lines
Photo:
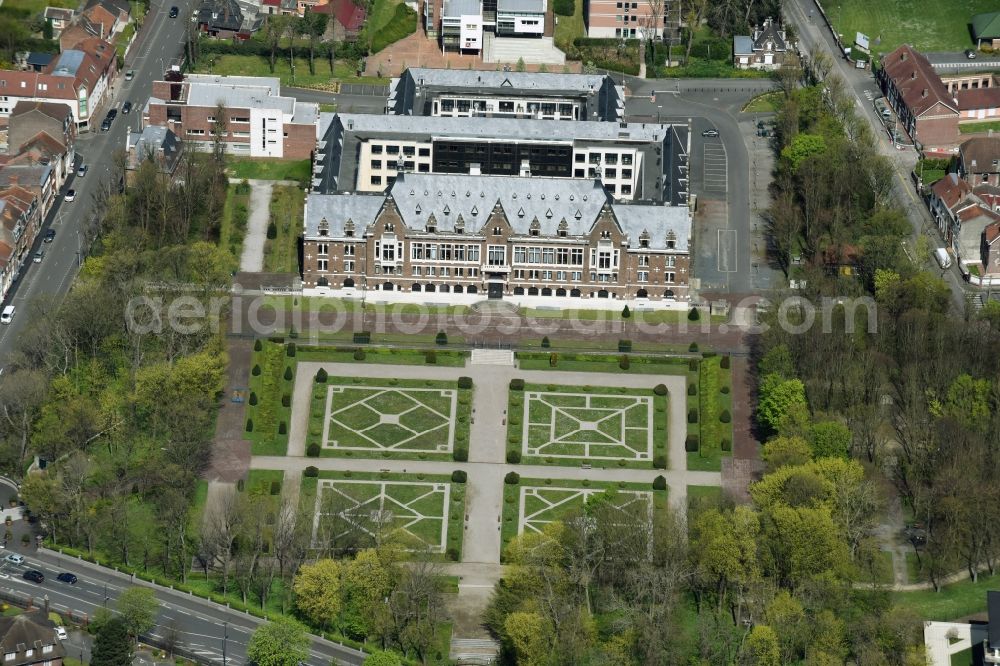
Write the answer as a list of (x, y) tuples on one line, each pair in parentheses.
[(389, 418)]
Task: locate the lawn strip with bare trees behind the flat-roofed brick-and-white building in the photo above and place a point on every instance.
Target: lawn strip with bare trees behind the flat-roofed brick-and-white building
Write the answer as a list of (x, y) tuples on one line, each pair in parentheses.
[(252, 65)]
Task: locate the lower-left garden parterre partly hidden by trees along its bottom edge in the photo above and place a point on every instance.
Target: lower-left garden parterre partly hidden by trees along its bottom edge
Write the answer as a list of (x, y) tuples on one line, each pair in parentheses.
[(425, 511)]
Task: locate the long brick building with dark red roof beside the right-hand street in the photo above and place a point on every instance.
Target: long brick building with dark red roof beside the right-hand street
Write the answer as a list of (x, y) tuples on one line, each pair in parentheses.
[(927, 112)]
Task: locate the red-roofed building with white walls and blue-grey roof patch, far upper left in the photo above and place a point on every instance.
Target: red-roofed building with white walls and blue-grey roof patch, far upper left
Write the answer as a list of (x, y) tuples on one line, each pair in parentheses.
[(79, 79)]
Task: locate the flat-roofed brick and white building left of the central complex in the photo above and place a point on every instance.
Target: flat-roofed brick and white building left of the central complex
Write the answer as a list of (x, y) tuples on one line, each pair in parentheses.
[(259, 121)]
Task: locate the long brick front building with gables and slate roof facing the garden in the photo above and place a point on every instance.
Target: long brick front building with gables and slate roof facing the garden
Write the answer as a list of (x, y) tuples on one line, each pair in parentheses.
[(468, 237)]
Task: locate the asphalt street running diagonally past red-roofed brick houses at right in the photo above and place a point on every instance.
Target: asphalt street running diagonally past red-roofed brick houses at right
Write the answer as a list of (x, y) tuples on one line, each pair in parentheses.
[(813, 33)]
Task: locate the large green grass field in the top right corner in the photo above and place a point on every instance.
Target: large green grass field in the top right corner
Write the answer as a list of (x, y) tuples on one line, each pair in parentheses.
[(926, 24)]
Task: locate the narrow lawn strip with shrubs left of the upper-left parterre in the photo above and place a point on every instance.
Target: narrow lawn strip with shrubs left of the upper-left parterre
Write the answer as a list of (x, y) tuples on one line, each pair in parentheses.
[(267, 415)]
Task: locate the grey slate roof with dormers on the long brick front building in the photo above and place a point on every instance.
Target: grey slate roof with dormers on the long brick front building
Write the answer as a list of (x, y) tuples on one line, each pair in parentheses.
[(549, 201)]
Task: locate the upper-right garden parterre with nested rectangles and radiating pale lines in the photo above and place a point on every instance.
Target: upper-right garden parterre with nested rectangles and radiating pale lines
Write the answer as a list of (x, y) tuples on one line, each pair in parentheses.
[(602, 426)]
